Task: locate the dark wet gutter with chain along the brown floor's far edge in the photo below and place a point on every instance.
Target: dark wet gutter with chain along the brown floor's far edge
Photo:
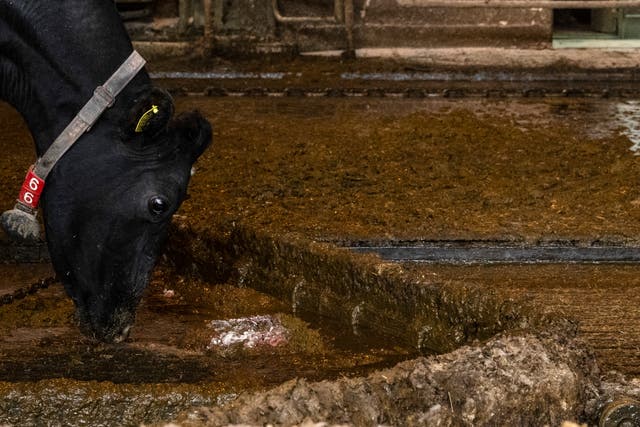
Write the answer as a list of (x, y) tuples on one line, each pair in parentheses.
[(402, 85)]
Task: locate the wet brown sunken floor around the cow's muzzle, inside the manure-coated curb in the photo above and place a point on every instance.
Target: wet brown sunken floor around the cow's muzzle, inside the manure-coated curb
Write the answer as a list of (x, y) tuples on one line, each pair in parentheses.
[(171, 341)]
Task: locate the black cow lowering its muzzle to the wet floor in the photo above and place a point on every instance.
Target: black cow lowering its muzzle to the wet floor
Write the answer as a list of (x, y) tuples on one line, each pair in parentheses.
[(108, 201)]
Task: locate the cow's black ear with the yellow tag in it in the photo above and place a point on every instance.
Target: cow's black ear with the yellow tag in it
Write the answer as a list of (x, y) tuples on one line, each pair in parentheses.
[(149, 115)]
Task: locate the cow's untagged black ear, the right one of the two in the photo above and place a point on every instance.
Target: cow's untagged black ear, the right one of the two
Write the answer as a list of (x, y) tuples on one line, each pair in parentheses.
[(194, 133)]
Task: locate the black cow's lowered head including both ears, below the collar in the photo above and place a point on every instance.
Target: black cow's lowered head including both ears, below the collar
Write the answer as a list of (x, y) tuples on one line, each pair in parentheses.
[(107, 207)]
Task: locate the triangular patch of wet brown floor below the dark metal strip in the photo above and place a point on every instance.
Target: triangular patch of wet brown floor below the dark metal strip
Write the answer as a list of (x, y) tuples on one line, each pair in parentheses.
[(603, 299)]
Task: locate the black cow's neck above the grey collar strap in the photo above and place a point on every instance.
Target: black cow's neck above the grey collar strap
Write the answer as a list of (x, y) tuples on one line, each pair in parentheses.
[(52, 57)]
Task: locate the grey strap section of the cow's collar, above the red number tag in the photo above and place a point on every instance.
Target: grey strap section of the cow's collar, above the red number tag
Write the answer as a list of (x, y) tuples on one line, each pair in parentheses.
[(103, 98)]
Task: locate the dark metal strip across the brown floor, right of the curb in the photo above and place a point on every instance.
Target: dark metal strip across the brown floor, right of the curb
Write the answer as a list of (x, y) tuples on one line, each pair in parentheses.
[(466, 252)]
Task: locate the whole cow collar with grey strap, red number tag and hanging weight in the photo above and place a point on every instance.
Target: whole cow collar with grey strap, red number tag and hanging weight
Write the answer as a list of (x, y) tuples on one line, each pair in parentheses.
[(20, 222)]
